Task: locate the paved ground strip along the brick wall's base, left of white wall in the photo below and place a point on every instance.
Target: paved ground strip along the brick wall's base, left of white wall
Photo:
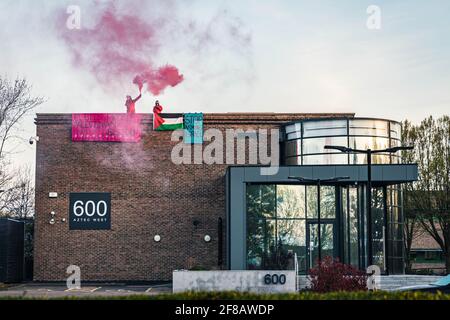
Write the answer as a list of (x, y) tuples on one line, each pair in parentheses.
[(43, 290)]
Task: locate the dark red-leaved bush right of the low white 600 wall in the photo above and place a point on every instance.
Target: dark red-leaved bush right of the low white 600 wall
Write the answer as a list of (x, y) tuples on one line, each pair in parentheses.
[(331, 275)]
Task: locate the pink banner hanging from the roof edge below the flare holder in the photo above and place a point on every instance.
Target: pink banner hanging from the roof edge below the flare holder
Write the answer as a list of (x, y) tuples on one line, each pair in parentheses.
[(107, 127)]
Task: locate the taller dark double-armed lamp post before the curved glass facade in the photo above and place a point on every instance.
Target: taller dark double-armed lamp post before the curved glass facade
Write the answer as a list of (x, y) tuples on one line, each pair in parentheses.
[(368, 153)]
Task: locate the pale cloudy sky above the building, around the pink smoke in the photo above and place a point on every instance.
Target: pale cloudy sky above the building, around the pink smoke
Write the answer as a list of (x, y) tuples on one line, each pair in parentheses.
[(245, 56)]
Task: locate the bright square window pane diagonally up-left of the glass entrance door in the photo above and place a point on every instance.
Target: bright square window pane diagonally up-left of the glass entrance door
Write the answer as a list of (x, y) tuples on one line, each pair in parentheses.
[(290, 201)]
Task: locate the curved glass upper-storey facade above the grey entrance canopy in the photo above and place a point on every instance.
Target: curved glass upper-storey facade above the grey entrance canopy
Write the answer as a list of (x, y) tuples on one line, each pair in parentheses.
[(303, 142)]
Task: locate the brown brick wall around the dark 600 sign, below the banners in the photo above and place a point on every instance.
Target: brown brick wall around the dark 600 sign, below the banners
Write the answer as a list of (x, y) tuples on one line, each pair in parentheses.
[(149, 195)]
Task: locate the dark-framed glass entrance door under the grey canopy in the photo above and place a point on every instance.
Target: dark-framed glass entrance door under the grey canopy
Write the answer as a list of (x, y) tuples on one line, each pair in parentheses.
[(328, 241)]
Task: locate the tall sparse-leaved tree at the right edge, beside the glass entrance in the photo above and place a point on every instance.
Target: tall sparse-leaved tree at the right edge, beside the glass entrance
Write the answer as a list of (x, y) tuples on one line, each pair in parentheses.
[(427, 200)]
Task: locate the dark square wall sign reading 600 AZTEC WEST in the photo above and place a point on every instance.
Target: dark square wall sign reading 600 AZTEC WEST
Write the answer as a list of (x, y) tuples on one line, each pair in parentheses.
[(90, 211)]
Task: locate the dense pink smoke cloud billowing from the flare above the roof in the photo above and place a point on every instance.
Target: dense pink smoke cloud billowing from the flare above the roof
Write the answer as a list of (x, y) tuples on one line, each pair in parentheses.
[(118, 47)]
